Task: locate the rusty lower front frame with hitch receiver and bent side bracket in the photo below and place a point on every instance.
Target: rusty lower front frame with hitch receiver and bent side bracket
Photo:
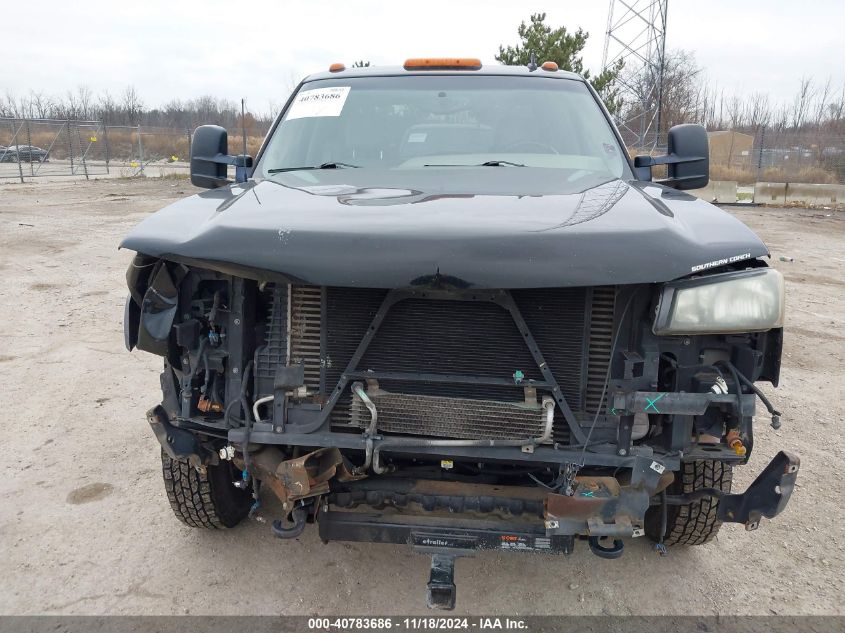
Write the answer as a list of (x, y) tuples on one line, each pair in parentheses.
[(451, 519)]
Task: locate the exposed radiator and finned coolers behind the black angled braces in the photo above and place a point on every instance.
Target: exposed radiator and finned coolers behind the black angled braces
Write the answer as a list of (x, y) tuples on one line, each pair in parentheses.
[(444, 337)]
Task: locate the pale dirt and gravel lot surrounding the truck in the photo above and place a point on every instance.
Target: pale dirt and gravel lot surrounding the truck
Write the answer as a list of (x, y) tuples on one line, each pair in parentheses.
[(85, 526)]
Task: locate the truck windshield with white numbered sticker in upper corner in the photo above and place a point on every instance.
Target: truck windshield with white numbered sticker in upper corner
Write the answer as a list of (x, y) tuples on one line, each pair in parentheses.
[(424, 122)]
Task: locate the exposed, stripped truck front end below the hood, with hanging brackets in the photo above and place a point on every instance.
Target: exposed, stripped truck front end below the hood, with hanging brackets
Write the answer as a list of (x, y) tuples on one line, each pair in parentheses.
[(457, 419)]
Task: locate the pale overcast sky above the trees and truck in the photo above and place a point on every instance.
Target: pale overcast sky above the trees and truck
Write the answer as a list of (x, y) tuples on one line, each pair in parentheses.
[(257, 49)]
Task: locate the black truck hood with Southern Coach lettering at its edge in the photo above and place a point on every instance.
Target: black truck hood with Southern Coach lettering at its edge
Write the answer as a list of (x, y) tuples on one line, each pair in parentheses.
[(487, 227)]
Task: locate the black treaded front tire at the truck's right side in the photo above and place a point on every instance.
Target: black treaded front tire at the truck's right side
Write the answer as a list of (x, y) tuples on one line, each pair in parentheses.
[(694, 523)]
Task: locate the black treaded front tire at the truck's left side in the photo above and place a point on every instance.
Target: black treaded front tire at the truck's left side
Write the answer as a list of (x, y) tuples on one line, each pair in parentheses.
[(207, 500)]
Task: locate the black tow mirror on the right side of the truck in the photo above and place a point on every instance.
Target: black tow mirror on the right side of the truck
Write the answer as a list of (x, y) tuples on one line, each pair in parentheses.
[(687, 160)]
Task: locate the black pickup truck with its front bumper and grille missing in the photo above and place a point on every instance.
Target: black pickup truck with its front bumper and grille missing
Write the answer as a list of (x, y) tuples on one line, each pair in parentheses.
[(443, 307)]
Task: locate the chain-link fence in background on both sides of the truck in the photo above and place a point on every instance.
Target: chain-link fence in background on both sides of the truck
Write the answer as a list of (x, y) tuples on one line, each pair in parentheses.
[(33, 148)]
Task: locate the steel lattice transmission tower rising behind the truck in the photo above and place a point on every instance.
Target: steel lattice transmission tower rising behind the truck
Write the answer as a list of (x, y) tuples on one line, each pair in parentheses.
[(636, 34)]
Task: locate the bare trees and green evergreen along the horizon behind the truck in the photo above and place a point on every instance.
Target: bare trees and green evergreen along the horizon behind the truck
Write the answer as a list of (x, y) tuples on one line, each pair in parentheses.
[(689, 96)]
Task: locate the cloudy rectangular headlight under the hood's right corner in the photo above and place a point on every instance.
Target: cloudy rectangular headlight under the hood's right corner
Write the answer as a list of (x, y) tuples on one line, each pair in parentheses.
[(734, 302)]
